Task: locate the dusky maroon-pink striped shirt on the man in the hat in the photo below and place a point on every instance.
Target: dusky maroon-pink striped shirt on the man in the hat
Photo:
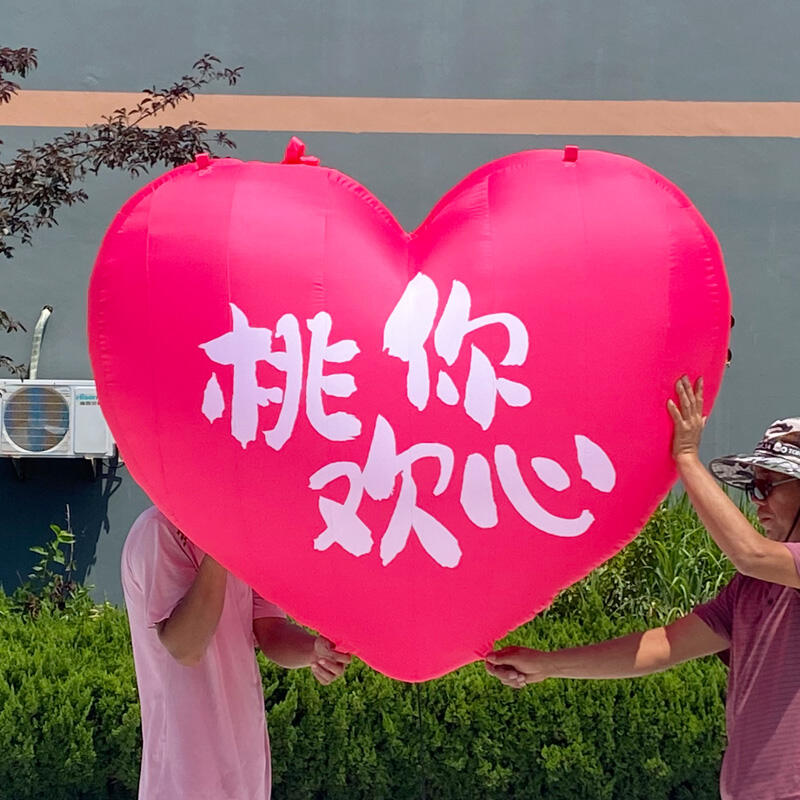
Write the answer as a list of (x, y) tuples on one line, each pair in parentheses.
[(761, 620)]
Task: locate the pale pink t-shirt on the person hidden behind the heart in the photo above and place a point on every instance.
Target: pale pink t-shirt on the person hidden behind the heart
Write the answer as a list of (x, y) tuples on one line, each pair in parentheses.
[(204, 727)]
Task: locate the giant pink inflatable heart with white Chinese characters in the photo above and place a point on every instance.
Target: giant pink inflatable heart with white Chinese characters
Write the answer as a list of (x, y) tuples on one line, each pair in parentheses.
[(411, 442)]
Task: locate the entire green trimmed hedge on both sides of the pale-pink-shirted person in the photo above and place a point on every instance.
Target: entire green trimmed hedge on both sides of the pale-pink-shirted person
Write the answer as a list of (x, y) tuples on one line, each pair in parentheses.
[(69, 723)]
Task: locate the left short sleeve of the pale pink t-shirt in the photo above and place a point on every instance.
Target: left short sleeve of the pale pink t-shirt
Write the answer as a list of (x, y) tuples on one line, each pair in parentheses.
[(158, 568)]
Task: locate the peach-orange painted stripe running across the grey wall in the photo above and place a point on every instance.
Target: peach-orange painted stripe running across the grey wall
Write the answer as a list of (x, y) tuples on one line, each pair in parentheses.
[(64, 109)]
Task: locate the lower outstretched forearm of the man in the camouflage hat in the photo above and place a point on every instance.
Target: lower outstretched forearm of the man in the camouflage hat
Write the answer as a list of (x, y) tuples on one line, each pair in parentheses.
[(626, 657)]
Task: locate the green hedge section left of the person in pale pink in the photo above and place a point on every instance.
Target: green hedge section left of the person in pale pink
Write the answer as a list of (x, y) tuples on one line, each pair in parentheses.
[(68, 705)]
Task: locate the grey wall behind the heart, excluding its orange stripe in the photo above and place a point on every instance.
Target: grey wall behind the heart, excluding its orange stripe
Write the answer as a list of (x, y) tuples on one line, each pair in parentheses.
[(572, 49)]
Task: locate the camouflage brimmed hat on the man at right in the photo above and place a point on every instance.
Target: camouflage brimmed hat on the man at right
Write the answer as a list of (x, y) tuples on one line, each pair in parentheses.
[(770, 453)]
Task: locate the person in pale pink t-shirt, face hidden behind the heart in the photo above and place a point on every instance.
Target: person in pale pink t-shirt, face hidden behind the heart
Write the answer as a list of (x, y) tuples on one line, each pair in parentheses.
[(194, 628)]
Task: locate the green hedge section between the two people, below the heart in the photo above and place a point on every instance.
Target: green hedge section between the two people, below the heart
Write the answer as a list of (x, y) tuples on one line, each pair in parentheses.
[(466, 736)]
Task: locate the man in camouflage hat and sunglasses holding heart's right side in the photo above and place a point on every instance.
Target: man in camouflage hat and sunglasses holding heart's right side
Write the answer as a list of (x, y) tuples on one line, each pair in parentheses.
[(756, 616)]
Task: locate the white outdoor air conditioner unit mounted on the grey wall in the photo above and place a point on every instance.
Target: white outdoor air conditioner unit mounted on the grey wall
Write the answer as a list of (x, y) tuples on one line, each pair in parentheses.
[(52, 419)]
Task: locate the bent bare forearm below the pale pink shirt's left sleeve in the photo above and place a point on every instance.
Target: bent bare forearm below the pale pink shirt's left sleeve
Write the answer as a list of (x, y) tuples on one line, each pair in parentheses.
[(191, 626)]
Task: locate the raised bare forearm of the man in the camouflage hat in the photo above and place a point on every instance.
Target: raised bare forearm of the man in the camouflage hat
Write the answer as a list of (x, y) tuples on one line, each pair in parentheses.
[(728, 527)]
